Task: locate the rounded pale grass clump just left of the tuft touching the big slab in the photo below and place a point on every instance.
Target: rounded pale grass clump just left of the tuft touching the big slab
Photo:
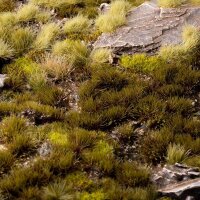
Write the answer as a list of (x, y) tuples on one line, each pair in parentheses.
[(78, 24)]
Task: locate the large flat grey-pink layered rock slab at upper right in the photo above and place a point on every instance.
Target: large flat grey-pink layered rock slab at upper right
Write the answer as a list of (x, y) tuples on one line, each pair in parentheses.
[(150, 27)]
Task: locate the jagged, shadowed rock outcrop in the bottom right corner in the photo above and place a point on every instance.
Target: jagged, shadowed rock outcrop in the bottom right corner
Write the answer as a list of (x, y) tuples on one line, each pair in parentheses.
[(178, 181)]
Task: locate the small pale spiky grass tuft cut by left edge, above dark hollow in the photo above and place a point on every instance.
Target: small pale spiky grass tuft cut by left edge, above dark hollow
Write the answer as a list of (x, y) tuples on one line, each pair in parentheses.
[(6, 51)]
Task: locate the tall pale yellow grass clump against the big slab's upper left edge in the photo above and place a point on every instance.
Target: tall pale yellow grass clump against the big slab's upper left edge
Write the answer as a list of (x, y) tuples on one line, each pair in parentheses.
[(115, 17)]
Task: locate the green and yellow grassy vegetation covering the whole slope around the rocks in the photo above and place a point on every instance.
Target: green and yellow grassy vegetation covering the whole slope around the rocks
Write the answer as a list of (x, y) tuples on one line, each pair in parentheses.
[(45, 53)]
